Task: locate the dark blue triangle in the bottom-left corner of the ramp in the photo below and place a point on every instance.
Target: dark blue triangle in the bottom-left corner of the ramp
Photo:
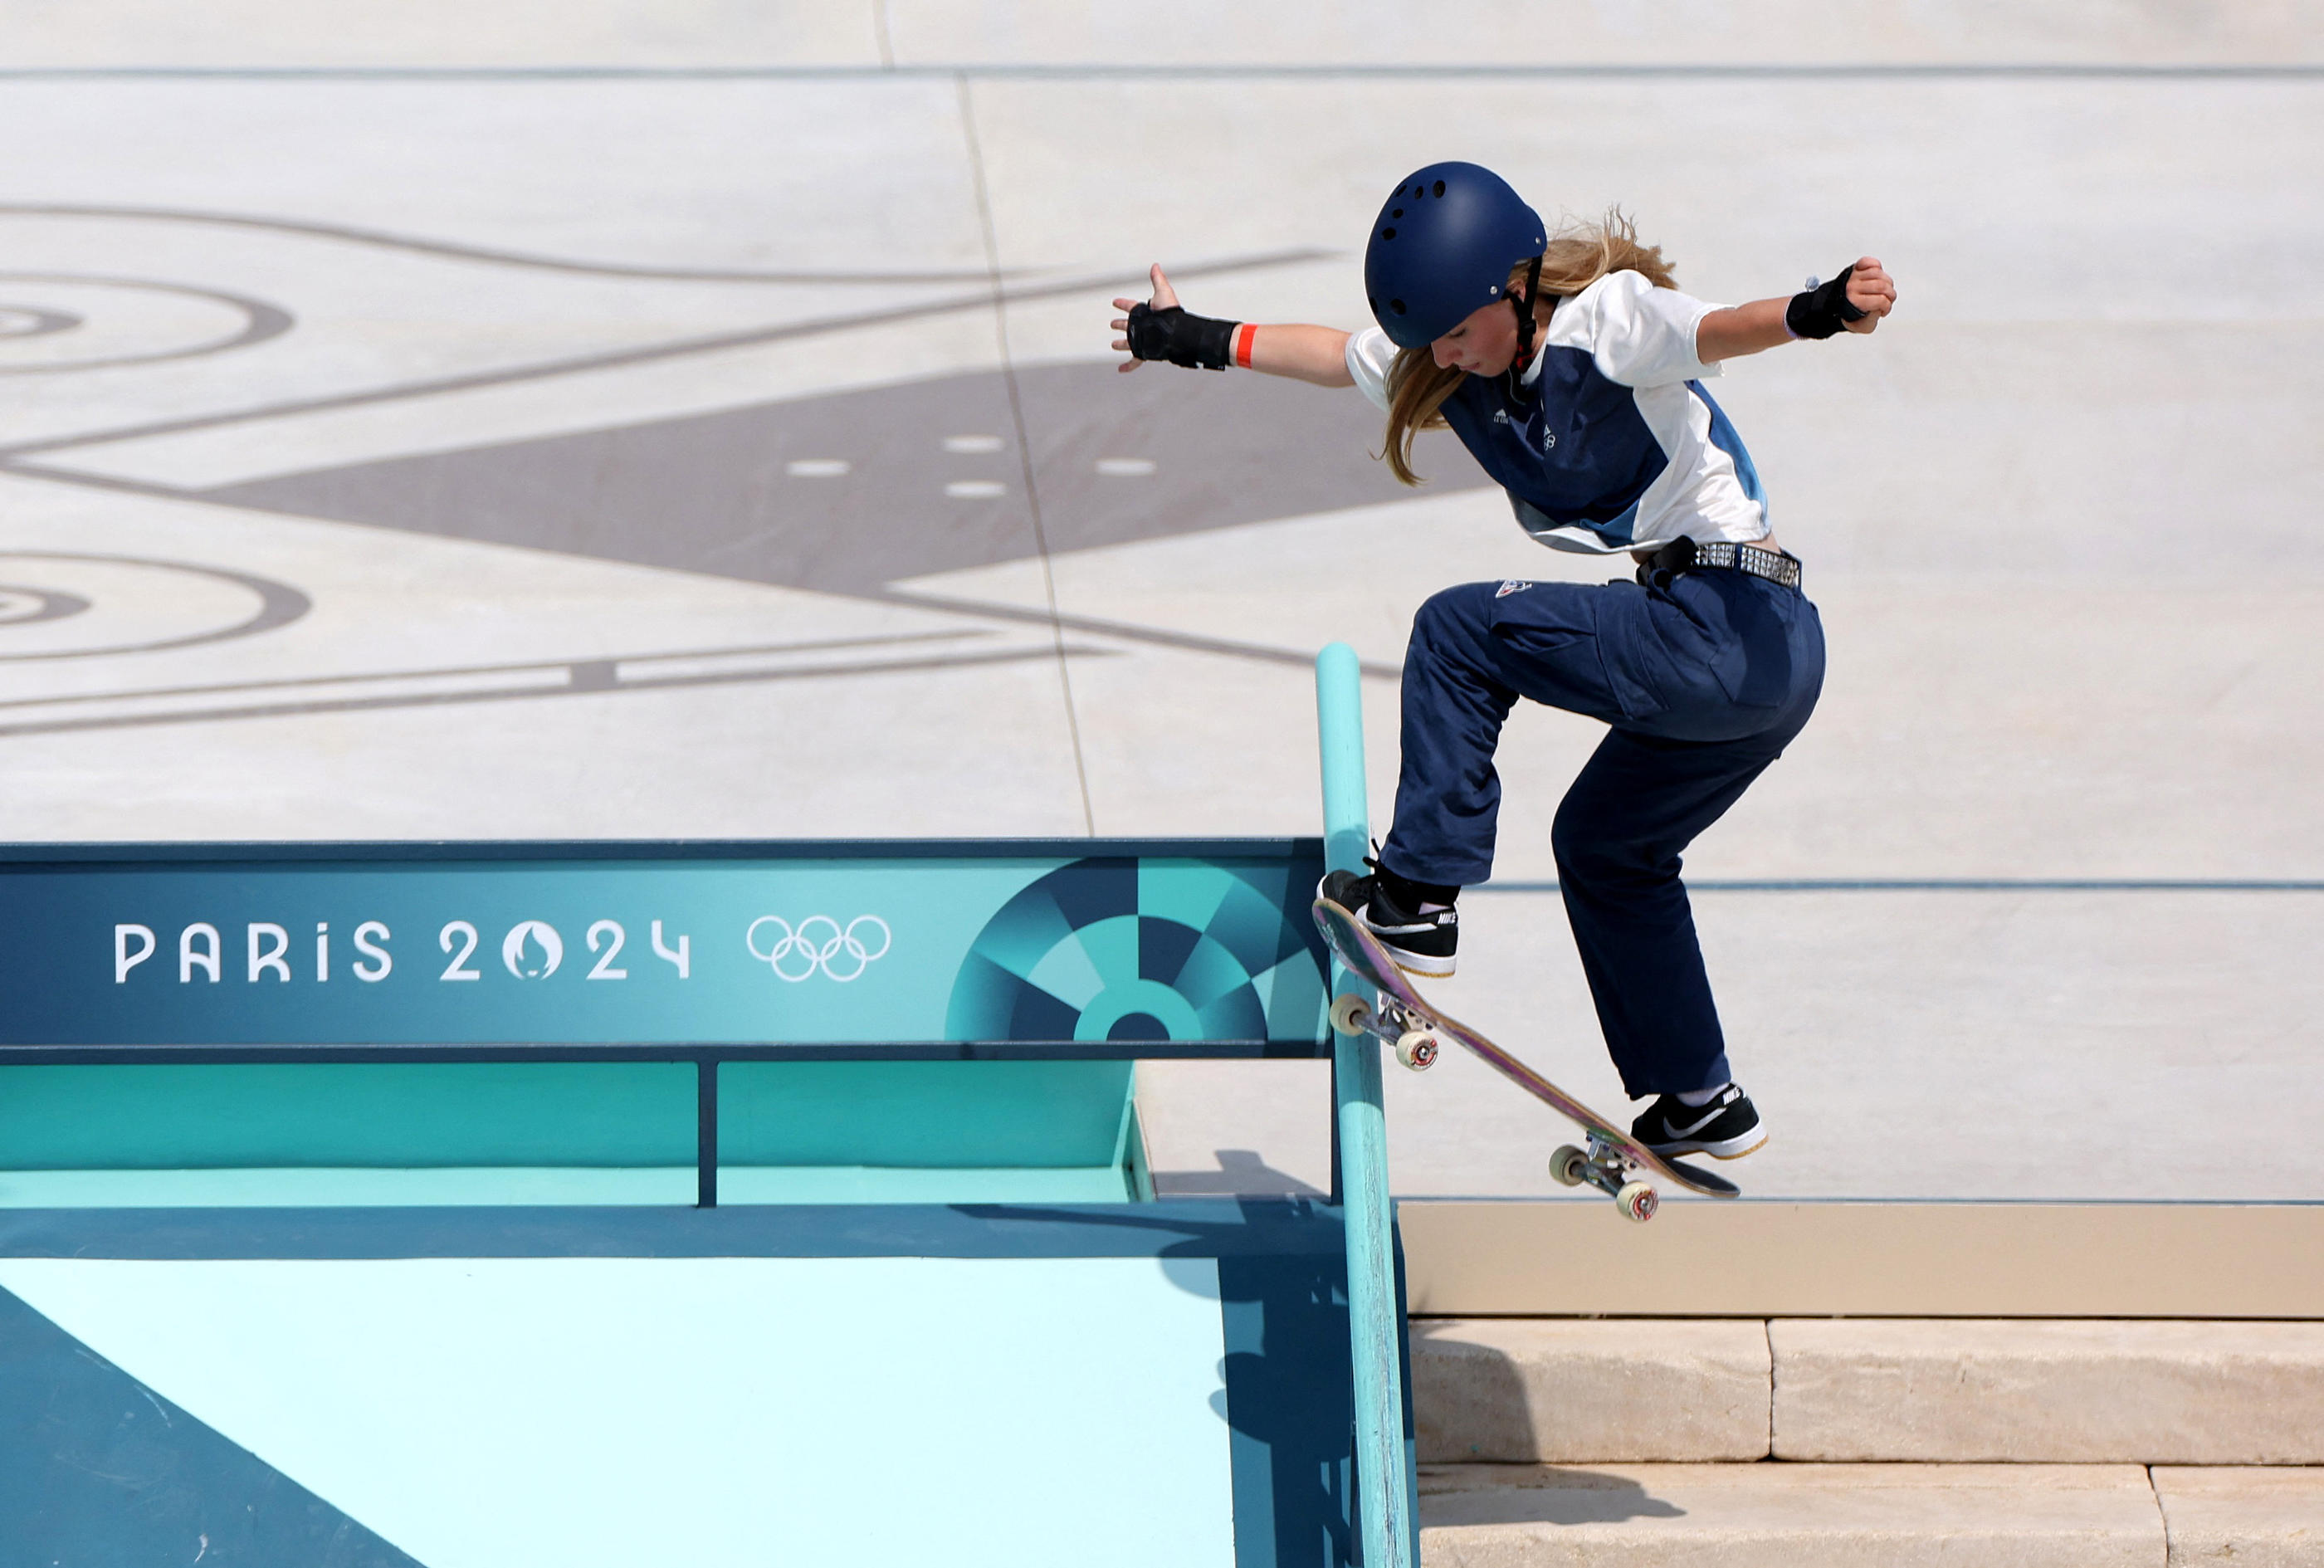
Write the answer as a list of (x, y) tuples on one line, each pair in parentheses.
[(99, 1472)]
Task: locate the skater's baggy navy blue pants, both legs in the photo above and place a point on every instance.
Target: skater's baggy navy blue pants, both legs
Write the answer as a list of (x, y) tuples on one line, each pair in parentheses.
[(1705, 679)]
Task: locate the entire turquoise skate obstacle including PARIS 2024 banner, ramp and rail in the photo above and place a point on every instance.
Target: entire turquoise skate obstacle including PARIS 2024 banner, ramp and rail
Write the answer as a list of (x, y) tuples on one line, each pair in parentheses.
[(431, 1114)]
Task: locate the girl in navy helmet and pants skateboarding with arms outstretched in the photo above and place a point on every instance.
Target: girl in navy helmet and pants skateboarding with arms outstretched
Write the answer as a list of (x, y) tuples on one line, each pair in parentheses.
[(1572, 371)]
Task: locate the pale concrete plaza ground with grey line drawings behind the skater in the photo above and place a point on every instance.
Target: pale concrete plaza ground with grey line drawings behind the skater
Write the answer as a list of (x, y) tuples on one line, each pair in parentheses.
[(696, 422)]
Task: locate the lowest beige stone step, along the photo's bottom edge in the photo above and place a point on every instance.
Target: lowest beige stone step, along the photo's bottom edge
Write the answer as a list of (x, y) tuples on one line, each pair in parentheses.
[(1867, 1516)]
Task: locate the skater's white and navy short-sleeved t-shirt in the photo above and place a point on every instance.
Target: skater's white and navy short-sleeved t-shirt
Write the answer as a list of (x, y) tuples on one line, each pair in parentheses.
[(1614, 445)]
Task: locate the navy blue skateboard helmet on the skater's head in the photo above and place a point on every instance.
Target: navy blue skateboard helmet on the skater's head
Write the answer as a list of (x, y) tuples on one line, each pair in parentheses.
[(1442, 247)]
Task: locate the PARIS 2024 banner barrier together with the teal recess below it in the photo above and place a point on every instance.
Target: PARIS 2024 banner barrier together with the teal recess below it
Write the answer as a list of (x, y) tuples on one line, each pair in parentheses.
[(636, 1007)]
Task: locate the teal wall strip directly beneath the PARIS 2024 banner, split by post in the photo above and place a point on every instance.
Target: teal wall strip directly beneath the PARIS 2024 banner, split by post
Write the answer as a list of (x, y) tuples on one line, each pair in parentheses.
[(561, 1114)]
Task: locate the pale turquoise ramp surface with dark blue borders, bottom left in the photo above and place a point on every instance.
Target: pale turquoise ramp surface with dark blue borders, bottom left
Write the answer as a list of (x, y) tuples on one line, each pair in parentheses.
[(492, 1388)]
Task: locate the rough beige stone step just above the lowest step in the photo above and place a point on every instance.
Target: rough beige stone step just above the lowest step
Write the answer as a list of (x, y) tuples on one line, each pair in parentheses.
[(1512, 1390)]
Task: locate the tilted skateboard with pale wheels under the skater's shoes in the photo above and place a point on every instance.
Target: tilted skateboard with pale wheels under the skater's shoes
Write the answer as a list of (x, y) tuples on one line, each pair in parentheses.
[(1416, 1033)]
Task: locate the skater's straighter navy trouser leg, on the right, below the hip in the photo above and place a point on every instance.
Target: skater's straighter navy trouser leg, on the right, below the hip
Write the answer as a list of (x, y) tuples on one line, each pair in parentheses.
[(1619, 844)]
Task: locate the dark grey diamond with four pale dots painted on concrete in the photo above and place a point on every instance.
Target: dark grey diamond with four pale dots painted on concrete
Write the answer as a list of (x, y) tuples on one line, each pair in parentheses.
[(710, 494)]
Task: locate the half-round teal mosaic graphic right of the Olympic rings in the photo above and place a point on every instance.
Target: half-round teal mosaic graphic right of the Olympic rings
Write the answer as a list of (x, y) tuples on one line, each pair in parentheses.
[(1147, 951)]
